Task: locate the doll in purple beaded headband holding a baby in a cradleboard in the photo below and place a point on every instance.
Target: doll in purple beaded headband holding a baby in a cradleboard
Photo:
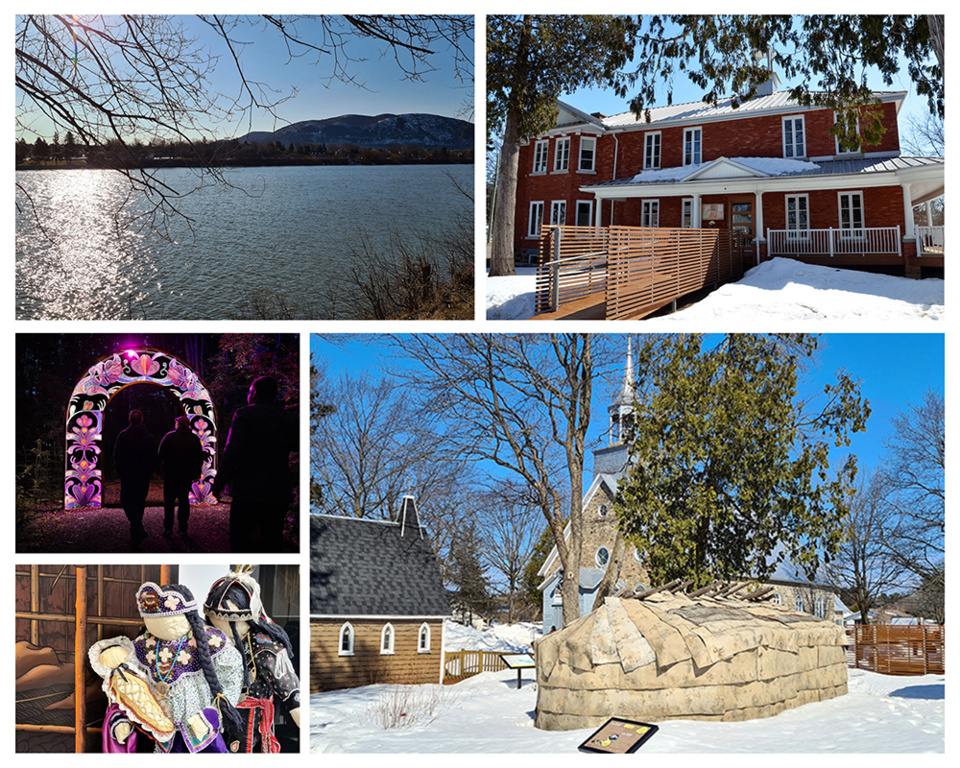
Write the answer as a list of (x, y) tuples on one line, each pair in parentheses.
[(190, 671)]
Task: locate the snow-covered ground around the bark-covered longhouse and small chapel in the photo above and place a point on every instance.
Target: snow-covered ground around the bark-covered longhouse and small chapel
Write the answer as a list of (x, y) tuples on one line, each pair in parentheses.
[(486, 713)]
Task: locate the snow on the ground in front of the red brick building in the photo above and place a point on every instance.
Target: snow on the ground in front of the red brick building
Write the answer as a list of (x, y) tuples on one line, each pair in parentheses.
[(780, 289)]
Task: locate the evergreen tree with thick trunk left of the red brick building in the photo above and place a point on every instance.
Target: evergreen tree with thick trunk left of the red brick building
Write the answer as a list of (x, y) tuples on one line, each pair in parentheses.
[(531, 60)]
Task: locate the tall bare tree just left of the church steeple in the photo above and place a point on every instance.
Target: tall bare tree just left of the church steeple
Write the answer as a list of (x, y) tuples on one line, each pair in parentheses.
[(523, 403)]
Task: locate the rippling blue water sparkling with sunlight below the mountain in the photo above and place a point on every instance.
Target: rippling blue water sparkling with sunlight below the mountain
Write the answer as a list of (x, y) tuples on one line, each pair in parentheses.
[(86, 248)]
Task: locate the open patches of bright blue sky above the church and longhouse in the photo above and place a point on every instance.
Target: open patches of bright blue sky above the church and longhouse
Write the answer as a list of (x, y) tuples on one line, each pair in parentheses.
[(895, 369)]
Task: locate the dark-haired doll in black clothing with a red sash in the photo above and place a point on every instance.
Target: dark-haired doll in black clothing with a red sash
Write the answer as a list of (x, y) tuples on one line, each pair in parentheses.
[(233, 606)]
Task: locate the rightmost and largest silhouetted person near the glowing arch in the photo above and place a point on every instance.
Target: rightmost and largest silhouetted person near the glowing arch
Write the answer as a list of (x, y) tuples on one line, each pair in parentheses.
[(256, 467)]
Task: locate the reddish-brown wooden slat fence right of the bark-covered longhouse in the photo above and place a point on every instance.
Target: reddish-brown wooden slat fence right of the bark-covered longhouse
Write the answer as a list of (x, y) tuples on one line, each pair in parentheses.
[(898, 650)]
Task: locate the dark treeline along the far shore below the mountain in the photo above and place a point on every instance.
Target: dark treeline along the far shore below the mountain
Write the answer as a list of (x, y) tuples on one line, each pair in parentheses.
[(57, 154)]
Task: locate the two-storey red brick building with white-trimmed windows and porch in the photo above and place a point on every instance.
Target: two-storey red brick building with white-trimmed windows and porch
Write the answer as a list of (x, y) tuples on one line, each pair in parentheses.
[(769, 168)]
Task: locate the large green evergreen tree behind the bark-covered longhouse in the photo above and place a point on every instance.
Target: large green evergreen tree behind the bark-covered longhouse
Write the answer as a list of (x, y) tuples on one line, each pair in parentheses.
[(730, 470)]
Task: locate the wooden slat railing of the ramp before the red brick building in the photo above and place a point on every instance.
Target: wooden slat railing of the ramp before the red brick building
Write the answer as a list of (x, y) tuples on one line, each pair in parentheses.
[(635, 270)]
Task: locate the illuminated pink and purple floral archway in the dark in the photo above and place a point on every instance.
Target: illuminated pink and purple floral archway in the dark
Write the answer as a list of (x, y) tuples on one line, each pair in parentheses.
[(83, 485)]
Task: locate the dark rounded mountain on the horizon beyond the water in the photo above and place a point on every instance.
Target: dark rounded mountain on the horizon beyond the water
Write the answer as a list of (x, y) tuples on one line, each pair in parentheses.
[(416, 129)]
